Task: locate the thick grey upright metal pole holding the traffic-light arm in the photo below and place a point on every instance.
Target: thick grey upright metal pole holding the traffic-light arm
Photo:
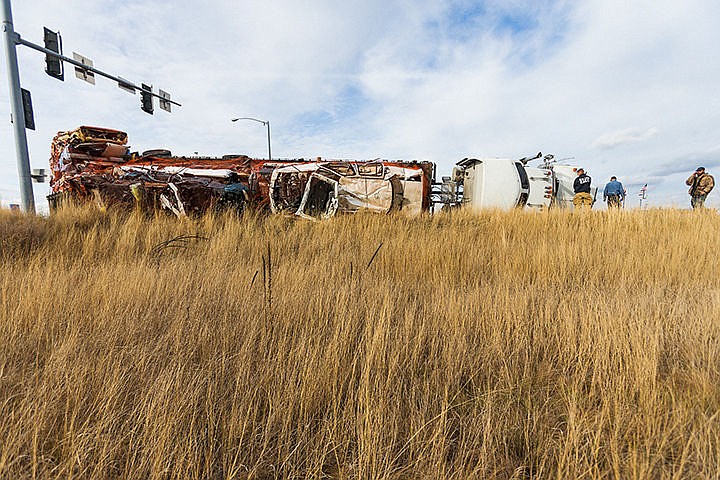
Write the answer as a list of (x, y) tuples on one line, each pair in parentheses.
[(17, 113)]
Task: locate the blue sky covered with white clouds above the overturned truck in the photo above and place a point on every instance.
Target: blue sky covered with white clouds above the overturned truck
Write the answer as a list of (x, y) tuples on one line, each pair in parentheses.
[(626, 88)]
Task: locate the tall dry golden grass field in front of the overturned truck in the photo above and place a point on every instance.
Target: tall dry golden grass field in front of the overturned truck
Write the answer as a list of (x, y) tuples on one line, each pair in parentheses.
[(498, 345)]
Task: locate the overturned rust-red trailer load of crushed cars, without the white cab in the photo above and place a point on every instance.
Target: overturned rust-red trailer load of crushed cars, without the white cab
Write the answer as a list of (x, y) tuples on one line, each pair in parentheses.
[(91, 164)]
